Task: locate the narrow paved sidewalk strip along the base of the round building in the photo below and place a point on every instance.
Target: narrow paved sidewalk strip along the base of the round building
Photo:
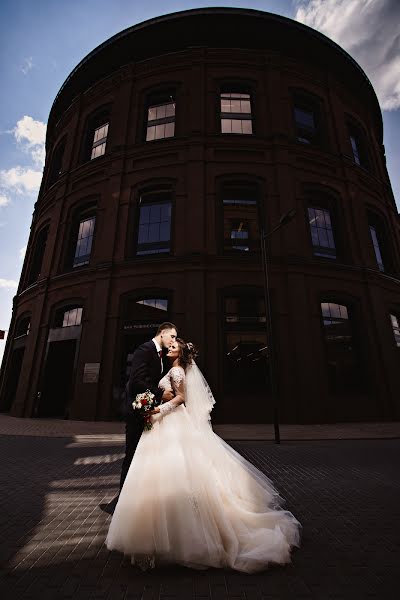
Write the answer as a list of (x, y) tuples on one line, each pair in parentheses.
[(62, 428)]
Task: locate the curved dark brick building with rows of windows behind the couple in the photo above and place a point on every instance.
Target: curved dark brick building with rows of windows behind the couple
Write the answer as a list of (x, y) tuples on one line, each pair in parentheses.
[(169, 148)]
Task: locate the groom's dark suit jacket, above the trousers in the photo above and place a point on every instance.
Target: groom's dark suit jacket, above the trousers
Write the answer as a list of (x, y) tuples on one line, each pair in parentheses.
[(145, 375)]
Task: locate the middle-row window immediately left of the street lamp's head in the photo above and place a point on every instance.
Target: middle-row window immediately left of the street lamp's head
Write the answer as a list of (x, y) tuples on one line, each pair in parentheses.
[(240, 217)]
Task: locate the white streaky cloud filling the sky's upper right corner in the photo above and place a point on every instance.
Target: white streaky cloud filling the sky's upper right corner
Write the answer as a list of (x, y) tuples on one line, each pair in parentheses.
[(369, 31)]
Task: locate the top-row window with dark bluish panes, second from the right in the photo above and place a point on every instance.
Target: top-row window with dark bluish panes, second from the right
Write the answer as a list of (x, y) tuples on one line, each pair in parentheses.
[(308, 120)]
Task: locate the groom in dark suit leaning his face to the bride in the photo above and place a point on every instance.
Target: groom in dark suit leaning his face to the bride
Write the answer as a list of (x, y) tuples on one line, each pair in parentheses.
[(147, 369)]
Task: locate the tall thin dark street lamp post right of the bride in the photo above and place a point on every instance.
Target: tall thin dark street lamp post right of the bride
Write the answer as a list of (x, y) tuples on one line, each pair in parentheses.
[(284, 220)]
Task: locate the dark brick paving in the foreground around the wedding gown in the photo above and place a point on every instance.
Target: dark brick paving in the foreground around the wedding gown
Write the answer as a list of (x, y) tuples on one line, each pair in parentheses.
[(346, 494)]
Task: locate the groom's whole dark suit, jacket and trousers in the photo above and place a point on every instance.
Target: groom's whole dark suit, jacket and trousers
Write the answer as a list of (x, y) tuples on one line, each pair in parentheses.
[(145, 375)]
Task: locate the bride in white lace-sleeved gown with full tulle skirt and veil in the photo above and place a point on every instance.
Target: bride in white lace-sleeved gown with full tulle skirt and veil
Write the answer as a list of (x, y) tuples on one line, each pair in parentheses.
[(191, 499)]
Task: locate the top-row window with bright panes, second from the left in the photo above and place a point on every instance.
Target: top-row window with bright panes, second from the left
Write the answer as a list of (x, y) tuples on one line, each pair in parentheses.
[(160, 122)]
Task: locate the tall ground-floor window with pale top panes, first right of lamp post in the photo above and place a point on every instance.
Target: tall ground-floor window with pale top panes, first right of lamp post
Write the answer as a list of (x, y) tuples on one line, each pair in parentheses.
[(343, 360)]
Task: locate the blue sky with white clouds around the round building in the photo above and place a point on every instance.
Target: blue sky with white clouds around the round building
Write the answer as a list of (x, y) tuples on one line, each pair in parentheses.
[(42, 41)]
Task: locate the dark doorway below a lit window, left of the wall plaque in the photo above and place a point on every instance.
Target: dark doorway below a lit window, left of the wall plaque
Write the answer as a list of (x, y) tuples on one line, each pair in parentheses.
[(58, 379)]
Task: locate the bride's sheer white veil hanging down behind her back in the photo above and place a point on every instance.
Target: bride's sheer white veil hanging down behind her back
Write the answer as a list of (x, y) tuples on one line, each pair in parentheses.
[(199, 398)]
